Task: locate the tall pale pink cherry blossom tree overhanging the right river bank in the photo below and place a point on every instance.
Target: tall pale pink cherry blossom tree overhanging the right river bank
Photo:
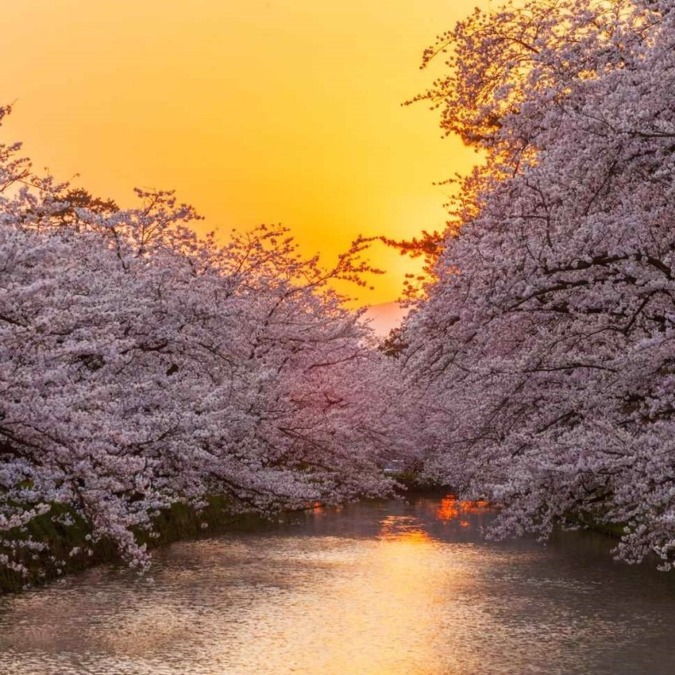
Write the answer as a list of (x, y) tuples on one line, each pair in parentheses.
[(542, 353)]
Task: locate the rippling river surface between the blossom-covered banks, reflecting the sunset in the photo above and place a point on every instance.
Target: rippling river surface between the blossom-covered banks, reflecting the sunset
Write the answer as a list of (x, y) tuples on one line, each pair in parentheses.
[(384, 587)]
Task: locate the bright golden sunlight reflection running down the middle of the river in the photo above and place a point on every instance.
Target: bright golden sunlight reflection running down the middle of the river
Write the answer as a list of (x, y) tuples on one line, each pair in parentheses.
[(373, 611)]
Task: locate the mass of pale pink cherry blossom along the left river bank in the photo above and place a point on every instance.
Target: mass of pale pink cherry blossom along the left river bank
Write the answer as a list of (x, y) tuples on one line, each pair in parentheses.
[(143, 366)]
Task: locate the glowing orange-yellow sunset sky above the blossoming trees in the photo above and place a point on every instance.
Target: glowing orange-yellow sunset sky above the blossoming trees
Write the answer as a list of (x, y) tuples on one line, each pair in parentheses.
[(255, 111)]
